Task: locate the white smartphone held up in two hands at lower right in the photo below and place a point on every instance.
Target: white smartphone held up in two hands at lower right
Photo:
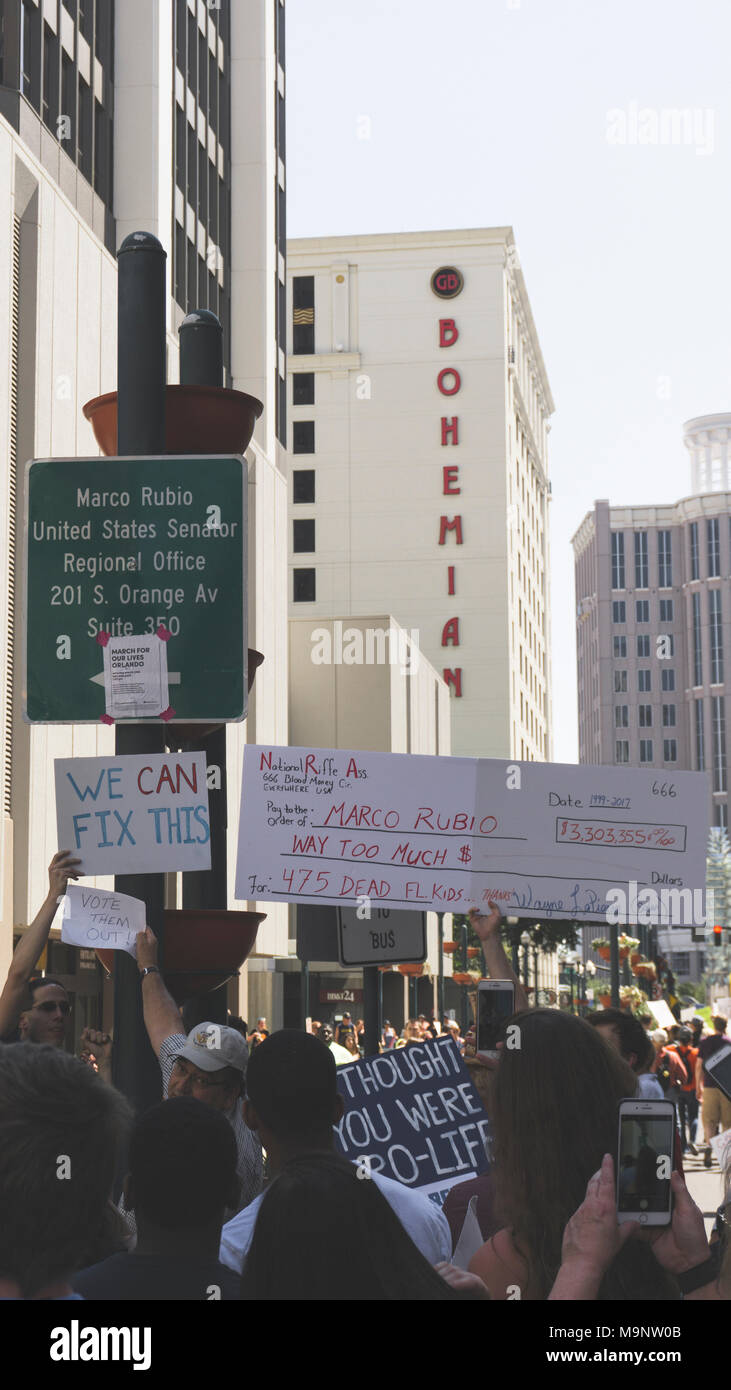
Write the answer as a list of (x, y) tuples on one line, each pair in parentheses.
[(646, 1163)]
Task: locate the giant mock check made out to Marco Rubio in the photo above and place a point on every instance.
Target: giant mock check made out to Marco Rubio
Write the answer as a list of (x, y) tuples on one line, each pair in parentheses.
[(451, 833)]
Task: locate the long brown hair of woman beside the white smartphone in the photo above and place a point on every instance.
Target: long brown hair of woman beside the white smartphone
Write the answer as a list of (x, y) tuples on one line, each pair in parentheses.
[(555, 1117)]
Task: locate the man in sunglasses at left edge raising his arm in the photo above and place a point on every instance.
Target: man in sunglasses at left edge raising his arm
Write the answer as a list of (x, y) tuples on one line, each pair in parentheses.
[(38, 1011)]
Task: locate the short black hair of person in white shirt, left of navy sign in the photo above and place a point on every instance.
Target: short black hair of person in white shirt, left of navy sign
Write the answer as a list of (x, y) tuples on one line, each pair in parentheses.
[(291, 1085)]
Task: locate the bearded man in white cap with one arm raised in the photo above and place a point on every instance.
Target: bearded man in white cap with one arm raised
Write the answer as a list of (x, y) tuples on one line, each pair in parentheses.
[(209, 1064)]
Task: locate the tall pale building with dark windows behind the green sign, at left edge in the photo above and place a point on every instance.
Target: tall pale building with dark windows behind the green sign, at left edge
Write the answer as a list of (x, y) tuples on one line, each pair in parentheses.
[(166, 116)]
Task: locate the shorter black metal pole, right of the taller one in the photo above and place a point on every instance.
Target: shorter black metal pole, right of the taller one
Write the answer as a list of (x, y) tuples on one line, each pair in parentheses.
[(202, 365)]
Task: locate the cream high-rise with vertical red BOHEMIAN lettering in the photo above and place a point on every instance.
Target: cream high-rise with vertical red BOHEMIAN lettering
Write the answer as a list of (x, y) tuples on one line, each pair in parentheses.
[(419, 465)]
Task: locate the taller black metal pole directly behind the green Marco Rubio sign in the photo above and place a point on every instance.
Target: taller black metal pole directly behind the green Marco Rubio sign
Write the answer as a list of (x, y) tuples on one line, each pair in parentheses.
[(141, 430)]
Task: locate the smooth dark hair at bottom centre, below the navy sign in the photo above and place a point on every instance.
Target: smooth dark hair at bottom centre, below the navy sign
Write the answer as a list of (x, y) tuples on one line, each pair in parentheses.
[(316, 1210)]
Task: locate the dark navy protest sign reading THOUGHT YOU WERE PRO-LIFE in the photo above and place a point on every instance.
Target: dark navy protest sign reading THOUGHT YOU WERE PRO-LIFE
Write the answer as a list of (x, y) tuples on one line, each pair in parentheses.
[(415, 1115)]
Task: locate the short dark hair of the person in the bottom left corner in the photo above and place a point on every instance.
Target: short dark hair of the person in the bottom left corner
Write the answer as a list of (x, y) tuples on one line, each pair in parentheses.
[(60, 1129)]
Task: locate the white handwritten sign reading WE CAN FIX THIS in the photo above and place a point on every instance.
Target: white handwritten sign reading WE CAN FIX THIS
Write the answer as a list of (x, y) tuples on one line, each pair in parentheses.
[(138, 814)]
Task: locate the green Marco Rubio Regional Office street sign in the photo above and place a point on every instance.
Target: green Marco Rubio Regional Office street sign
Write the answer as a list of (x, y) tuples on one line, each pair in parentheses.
[(124, 547)]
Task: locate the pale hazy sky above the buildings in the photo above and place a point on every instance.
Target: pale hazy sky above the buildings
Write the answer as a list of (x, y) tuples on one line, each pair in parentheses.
[(551, 117)]
